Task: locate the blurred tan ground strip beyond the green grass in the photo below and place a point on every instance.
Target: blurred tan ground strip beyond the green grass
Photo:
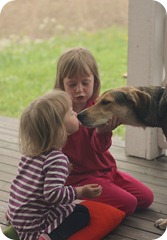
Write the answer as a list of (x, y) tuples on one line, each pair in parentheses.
[(46, 18)]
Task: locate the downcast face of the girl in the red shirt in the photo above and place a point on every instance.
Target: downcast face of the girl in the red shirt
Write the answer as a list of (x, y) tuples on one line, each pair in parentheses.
[(79, 88)]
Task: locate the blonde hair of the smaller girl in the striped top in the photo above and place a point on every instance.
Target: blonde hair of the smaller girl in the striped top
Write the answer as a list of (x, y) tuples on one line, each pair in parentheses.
[(41, 124)]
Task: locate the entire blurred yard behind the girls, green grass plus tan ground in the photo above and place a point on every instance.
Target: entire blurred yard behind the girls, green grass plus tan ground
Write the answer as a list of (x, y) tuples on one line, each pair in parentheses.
[(34, 33)]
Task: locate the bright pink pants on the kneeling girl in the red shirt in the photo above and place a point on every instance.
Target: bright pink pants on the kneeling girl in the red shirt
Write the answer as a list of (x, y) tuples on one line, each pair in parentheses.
[(122, 191)]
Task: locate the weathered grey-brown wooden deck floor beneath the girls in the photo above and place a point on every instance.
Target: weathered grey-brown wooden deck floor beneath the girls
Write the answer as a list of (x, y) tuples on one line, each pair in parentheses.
[(153, 173)]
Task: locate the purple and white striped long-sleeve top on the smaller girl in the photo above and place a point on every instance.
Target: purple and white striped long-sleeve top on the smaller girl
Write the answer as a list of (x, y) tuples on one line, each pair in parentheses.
[(39, 201)]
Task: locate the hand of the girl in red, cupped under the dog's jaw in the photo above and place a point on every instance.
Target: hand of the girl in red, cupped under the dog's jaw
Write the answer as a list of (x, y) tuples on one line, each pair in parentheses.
[(109, 126)]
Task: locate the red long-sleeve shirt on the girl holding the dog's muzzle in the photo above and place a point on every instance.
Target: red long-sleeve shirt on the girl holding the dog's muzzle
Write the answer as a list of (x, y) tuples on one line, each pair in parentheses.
[(89, 154)]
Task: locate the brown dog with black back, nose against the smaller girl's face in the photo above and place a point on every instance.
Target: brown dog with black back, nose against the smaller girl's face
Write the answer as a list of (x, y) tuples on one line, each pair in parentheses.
[(135, 106)]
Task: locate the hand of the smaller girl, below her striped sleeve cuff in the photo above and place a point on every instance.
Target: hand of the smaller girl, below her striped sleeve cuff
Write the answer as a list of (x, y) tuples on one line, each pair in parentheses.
[(89, 191)]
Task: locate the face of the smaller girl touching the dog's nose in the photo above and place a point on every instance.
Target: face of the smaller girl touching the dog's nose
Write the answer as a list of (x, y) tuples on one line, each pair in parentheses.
[(71, 122)]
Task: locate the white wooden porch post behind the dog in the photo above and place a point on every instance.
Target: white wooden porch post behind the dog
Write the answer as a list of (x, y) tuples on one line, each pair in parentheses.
[(145, 67)]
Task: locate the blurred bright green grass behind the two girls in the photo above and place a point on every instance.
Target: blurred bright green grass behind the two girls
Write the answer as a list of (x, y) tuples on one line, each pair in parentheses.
[(28, 68)]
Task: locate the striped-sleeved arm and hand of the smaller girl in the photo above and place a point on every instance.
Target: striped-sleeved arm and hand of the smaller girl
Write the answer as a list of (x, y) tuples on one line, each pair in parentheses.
[(55, 192)]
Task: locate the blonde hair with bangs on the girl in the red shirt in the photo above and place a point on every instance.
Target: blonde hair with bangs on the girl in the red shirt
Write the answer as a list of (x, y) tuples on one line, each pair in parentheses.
[(74, 62)]
